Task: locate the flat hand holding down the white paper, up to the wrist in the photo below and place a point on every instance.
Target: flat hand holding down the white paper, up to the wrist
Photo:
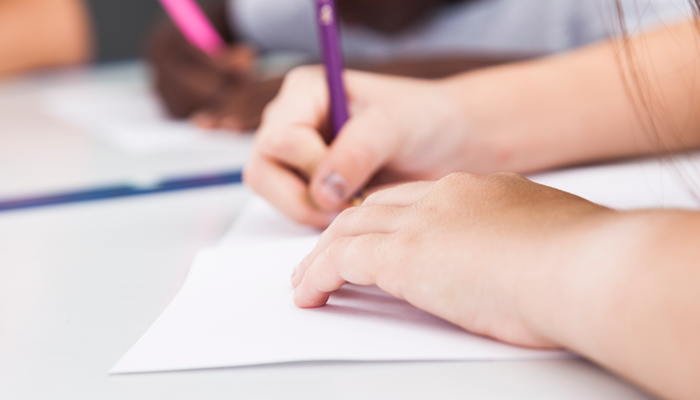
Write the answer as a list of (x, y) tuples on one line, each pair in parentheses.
[(477, 250)]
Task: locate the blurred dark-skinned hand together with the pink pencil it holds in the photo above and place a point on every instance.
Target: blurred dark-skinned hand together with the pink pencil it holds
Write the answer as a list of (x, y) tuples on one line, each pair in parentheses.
[(202, 78)]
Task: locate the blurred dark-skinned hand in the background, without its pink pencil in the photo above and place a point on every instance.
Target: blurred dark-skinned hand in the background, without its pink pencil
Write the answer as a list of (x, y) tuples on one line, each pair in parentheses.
[(216, 91)]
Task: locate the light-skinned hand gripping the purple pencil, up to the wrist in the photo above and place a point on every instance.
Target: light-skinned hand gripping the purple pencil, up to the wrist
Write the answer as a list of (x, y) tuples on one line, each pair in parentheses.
[(401, 129)]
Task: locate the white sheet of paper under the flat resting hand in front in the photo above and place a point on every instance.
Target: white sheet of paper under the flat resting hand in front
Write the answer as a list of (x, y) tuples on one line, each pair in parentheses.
[(235, 308)]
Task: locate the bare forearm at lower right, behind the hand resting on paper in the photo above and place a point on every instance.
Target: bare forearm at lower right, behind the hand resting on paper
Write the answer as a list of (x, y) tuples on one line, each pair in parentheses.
[(625, 292)]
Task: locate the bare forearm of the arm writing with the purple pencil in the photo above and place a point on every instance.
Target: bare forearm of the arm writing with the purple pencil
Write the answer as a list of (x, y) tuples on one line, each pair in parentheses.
[(575, 108)]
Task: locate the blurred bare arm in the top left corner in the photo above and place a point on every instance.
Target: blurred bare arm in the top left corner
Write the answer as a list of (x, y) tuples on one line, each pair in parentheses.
[(42, 33)]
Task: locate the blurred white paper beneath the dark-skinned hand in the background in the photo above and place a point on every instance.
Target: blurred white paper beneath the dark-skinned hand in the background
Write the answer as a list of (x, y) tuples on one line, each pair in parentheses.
[(128, 116)]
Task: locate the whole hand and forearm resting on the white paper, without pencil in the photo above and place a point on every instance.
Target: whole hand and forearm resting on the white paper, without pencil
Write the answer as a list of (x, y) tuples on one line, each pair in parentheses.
[(530, 265)]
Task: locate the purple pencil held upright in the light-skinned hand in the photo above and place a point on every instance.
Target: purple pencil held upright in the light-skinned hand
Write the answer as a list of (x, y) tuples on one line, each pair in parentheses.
[(332, 53)]
